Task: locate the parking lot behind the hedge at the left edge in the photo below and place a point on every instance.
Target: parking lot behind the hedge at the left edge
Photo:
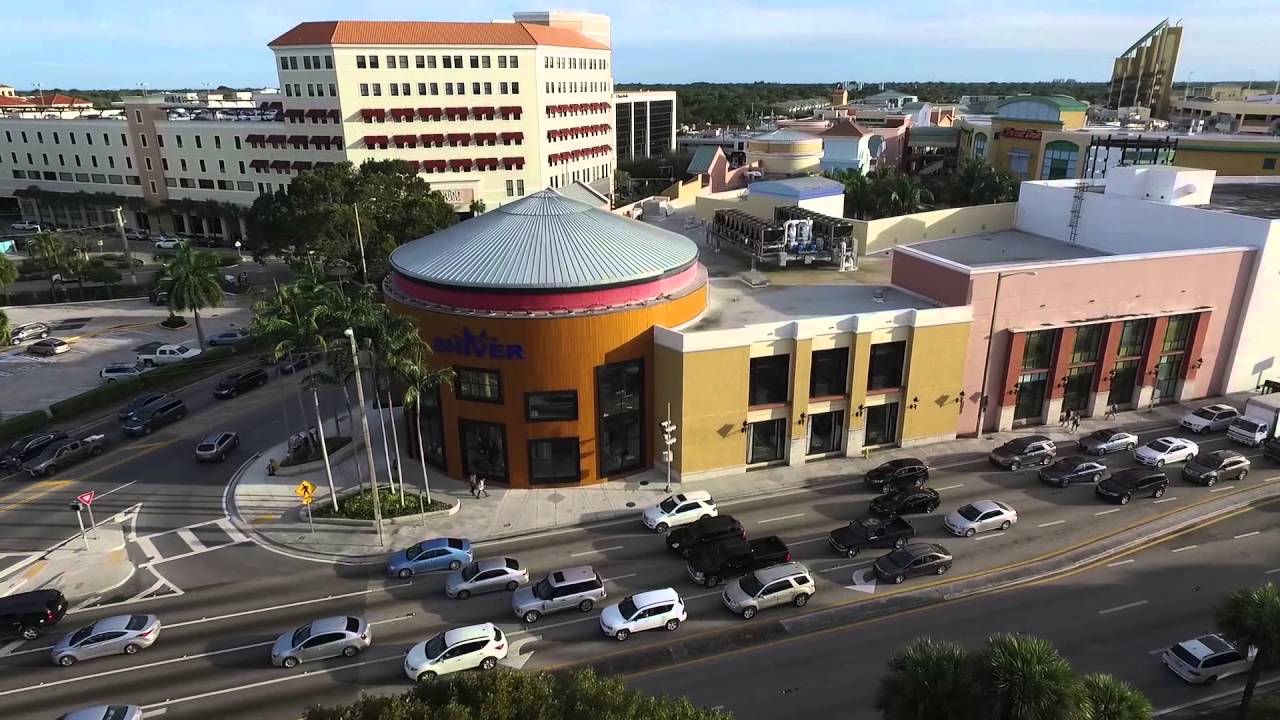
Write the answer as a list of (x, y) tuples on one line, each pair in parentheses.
[(99, 334)]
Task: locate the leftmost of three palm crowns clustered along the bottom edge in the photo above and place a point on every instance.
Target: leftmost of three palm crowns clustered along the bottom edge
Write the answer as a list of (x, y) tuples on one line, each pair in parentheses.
[(927, 681)]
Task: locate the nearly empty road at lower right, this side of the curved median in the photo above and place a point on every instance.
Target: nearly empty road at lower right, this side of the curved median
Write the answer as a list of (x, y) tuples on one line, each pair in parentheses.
[(798, 677)]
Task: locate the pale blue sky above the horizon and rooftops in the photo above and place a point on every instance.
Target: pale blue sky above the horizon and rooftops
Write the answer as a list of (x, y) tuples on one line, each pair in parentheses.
[(166, 44)]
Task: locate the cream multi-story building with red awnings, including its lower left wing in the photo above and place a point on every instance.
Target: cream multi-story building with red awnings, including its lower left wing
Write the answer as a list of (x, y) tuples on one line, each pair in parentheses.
[(488, 112)]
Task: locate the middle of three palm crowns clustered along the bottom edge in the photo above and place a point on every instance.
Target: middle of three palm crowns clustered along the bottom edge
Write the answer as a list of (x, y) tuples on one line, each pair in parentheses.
[(1025, 678)]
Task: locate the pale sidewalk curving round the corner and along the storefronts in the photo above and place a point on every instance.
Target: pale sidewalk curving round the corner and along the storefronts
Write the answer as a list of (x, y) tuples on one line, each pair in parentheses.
[(267, 507)]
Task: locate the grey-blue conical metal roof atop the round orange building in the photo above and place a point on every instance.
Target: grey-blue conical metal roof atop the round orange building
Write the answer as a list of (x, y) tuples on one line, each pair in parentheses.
[(545, 241)]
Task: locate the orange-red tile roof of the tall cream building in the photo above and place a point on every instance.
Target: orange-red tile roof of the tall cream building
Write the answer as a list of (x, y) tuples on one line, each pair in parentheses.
[(378, 33)]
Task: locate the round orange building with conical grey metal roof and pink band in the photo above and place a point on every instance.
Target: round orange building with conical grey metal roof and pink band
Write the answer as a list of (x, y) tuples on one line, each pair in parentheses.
[(546, 309)]
